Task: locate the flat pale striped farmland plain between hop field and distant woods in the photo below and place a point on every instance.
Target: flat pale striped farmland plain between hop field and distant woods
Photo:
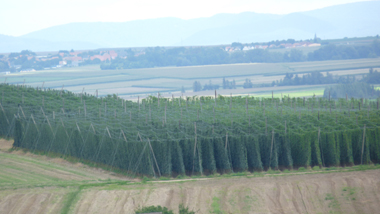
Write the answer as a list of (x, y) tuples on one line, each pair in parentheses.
[(131, 83)]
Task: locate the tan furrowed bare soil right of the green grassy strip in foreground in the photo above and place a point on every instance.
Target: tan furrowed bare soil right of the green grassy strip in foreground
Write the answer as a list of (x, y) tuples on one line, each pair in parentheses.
[(351, 192)]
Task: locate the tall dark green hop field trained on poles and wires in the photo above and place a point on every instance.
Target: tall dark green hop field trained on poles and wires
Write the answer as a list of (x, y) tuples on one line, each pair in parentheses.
[(192, 135)]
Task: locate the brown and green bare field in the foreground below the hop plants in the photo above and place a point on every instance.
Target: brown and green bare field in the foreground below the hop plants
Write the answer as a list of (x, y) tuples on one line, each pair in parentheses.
[(44, 185)]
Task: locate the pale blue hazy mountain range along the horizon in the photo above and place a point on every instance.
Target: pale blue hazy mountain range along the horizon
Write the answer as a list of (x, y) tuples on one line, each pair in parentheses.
[(348, 20)]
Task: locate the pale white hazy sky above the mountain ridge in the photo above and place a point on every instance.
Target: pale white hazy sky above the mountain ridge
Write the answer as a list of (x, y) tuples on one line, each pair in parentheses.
[(18, 17)]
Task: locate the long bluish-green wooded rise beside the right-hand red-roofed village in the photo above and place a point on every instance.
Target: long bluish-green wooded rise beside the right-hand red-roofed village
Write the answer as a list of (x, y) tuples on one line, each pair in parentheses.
[(160, 57)]
